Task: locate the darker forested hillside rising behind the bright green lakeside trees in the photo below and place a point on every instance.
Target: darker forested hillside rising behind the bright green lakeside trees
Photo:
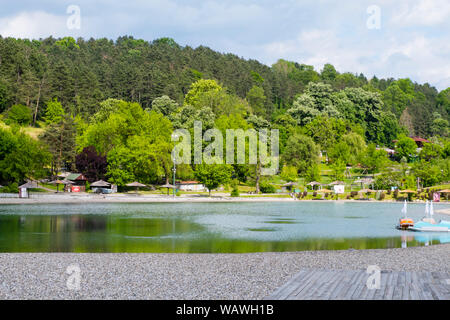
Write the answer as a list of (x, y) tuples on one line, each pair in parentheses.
[(81, 73)]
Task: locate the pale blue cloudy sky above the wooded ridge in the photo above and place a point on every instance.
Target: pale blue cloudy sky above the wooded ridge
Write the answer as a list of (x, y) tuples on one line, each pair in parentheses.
[(402, 38)]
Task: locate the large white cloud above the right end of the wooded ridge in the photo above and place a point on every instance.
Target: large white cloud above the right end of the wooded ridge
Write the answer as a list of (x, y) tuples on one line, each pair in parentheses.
[(418, 57)]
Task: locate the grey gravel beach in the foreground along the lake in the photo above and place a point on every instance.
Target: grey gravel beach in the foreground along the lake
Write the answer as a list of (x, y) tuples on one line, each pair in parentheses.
[(191, 276)]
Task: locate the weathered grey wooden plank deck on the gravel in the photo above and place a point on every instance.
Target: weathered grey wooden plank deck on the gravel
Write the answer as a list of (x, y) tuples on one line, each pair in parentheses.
[(351, 285)]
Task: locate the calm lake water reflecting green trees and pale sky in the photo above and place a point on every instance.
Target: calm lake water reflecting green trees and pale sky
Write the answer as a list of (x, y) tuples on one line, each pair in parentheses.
[(209, 227)]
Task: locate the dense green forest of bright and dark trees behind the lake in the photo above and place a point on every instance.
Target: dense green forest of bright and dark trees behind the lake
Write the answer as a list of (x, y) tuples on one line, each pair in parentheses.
[(116, 103)]
